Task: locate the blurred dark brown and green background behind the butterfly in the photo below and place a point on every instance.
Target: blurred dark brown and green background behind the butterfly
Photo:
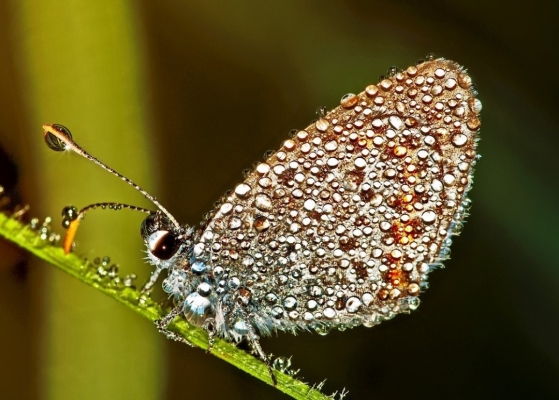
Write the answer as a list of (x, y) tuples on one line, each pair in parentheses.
[(182, 96)]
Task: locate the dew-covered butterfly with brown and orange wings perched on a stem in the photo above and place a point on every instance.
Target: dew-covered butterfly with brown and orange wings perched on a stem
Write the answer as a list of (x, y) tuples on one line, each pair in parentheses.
[(338, 228)]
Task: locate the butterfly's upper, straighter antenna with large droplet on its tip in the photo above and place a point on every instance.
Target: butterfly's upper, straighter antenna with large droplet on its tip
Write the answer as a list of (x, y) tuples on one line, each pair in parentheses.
[(59, 138)]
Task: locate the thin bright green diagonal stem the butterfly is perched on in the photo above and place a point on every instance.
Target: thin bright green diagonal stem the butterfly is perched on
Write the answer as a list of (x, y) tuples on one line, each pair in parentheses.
[(25, 237)]
